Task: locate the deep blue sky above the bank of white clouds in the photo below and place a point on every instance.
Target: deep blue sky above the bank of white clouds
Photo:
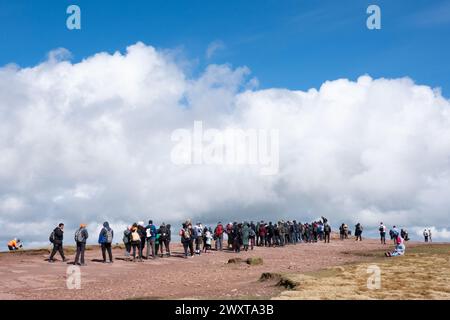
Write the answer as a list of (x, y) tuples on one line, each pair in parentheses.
[(291, 44)]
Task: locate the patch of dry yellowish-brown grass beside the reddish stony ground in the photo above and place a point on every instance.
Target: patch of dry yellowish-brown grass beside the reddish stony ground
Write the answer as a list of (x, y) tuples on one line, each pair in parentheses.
[(424, 273)]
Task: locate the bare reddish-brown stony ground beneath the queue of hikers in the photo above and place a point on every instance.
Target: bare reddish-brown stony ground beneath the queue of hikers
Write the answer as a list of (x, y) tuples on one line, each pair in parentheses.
[(27, 275)]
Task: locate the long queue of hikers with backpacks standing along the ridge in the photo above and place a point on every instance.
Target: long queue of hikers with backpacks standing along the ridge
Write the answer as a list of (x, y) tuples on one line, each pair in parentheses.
[(143, 241)]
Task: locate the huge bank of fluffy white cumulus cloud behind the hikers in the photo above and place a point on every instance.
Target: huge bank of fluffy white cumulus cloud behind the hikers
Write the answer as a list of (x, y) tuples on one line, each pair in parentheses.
[(92, 141)]
